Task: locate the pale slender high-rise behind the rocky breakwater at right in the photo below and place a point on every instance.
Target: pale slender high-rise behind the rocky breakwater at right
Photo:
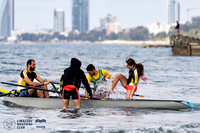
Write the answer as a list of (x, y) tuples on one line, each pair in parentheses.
[(173, 11)]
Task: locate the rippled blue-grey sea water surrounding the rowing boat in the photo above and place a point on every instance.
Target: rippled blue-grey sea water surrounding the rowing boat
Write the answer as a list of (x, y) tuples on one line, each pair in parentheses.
[(170, 77)]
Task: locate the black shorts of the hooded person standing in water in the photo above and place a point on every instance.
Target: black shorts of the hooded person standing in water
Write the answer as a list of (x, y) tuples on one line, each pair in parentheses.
[(72, 93)]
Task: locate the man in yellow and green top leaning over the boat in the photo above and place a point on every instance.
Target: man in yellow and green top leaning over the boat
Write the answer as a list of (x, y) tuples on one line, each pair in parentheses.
[(96, 76)]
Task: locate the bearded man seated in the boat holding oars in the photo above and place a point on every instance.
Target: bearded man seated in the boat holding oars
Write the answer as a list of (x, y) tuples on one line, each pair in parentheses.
[(26, 78)]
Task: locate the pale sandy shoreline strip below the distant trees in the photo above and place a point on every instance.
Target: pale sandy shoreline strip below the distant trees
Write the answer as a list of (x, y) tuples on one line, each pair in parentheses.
[(114, 42)]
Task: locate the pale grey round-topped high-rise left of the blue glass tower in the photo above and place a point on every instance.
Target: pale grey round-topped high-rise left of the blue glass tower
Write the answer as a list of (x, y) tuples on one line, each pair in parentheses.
[(59, 20)]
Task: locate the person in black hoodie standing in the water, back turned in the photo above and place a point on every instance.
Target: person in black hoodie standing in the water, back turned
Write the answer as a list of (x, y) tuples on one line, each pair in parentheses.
[(70, 82)]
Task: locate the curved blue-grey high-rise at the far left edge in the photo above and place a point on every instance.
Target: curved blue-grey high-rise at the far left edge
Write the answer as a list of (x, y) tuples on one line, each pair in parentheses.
[(6, 17)]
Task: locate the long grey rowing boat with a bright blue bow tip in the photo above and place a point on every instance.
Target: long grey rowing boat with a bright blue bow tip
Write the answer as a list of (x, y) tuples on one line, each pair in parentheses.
[(51, 103)]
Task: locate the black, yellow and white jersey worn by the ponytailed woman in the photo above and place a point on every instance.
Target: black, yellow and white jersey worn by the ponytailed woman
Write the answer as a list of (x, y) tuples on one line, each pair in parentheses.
[(133, 78)]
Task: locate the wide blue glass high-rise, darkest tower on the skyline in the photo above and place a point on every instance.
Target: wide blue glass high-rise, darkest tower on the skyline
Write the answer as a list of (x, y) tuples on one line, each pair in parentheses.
[(80, 15)]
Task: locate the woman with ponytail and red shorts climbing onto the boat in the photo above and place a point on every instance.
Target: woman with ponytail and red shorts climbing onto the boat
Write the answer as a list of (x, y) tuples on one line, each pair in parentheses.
[(136, 71)]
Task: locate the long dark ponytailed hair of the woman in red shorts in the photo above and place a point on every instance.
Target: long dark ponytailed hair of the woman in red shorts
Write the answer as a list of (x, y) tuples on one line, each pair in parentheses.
[(139, 66)]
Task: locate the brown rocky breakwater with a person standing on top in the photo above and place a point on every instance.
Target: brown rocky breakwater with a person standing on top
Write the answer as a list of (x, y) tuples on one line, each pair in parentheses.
[(185, 45)]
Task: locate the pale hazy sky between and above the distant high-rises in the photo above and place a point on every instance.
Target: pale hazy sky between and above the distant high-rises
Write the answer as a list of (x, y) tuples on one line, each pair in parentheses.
[(38, 14)]
